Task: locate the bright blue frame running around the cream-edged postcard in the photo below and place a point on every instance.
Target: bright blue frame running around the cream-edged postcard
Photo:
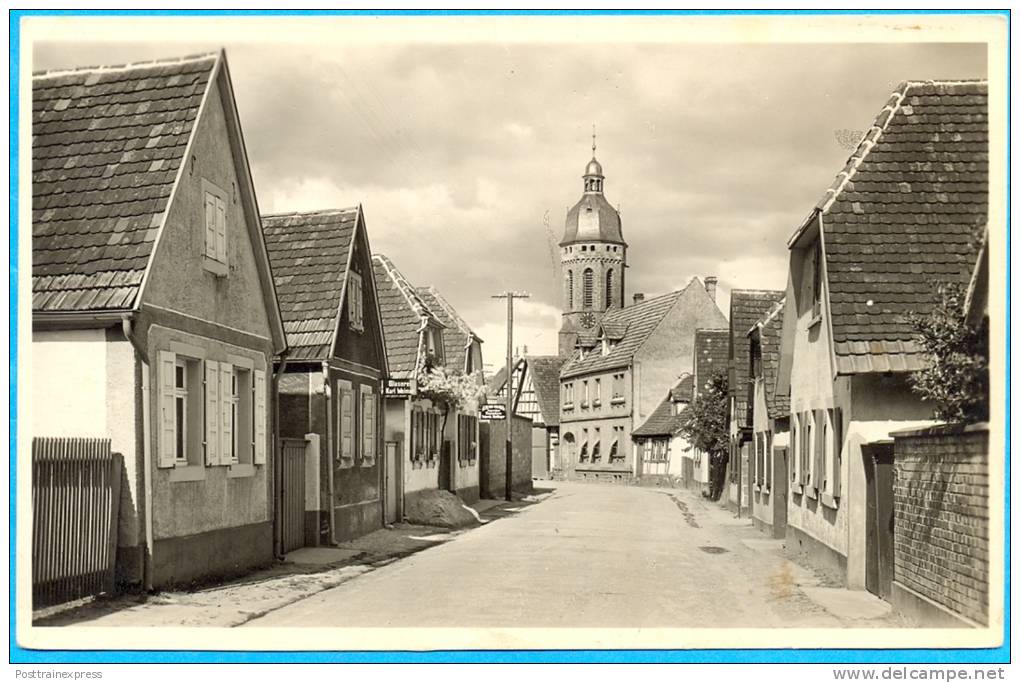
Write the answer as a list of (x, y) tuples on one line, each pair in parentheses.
[(19, 655)]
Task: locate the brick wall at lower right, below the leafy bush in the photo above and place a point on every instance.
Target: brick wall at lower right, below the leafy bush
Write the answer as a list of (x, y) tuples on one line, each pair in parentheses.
[(941, 501)]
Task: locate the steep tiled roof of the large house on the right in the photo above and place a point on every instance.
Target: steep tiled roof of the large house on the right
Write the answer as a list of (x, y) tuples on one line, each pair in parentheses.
[(901, 217)]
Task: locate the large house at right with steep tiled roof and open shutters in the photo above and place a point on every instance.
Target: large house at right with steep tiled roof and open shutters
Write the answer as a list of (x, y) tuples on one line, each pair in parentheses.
[(897, 221)]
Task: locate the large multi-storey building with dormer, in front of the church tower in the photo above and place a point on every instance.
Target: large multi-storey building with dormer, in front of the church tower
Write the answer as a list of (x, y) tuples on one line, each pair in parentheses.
[(619, 376)]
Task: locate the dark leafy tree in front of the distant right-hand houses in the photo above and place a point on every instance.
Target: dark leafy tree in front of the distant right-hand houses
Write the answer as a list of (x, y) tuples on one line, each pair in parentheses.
[(705, 424)]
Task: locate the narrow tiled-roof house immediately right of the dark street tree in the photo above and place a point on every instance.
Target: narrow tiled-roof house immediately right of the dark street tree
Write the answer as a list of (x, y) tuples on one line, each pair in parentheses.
[(746, 307)]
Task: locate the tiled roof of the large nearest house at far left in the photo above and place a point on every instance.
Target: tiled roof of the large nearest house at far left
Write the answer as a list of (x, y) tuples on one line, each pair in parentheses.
[(107, 146)]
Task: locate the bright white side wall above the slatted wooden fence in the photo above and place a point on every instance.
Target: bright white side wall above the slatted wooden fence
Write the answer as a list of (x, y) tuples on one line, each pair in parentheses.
[(69, 384)]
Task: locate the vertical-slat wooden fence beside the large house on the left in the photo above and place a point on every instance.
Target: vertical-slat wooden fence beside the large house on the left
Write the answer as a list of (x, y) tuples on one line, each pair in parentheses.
[(76, 502)]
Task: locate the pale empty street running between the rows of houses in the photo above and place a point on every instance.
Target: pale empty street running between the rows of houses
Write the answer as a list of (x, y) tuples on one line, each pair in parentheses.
[(591, 556)]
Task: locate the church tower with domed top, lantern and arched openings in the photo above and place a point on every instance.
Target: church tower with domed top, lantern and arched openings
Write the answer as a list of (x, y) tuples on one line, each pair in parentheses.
[(593, 256)]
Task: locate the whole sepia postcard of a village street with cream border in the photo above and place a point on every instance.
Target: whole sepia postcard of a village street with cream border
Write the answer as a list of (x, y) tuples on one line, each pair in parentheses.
[(587, 333)]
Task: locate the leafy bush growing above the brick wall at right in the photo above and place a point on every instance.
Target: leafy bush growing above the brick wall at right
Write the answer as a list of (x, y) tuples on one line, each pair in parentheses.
[(956, 378)]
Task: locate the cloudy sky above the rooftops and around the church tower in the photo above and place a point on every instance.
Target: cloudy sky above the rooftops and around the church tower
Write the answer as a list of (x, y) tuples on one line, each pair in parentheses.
[(467, 156)]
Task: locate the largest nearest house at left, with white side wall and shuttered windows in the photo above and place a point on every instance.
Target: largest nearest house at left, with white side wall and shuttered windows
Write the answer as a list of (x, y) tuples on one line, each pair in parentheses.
[(156, 320)]
